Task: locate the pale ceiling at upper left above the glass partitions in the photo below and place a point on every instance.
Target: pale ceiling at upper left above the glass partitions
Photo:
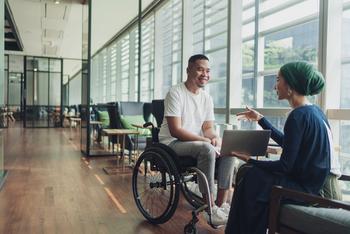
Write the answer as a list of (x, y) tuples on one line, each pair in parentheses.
[(49, 28)]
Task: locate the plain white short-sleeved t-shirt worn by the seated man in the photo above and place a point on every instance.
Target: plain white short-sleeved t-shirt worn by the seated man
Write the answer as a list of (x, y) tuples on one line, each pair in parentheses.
[(193, 109)]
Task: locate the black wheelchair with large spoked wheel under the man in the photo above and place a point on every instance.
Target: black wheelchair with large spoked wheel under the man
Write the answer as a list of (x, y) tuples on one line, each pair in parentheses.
[(158, 178)]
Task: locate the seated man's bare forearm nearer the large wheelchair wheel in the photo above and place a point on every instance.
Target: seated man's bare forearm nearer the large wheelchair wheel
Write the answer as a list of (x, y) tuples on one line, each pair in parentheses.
[(174, 124)]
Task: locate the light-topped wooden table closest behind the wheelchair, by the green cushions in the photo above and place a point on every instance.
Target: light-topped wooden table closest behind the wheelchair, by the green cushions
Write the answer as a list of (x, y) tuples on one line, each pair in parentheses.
[(120, 133)]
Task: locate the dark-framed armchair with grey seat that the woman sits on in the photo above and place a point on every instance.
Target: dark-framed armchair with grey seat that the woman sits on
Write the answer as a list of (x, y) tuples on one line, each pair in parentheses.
[(313, 214)]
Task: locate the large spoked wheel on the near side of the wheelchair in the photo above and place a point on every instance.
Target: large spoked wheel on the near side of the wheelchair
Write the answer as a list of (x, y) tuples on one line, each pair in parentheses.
[(155, 184)]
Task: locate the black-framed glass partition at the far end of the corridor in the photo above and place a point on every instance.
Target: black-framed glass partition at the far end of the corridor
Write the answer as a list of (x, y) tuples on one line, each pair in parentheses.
[(42, 96)]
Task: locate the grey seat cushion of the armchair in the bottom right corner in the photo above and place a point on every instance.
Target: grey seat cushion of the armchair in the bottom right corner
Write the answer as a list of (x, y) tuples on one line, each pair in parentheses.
[(315, 219)]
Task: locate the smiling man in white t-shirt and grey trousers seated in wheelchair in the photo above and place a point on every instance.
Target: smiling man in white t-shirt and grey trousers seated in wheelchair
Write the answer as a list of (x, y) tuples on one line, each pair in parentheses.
[(188, 129)]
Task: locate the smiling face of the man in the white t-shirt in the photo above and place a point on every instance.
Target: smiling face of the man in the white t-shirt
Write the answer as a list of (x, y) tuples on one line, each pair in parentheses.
[(199, 72)]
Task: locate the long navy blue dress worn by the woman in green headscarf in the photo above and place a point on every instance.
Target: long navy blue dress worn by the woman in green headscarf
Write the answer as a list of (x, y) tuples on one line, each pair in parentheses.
[(303, 166)]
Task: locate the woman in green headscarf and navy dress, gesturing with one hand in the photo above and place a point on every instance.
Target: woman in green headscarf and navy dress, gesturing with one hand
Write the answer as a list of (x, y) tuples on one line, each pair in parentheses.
[(306, 151)]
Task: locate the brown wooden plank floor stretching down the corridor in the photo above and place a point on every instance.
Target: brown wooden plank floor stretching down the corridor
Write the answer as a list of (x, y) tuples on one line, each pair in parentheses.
[(52, 188)]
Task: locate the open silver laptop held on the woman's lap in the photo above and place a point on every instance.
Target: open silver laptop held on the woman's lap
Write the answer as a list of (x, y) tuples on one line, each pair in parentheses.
[(251, 142)]
